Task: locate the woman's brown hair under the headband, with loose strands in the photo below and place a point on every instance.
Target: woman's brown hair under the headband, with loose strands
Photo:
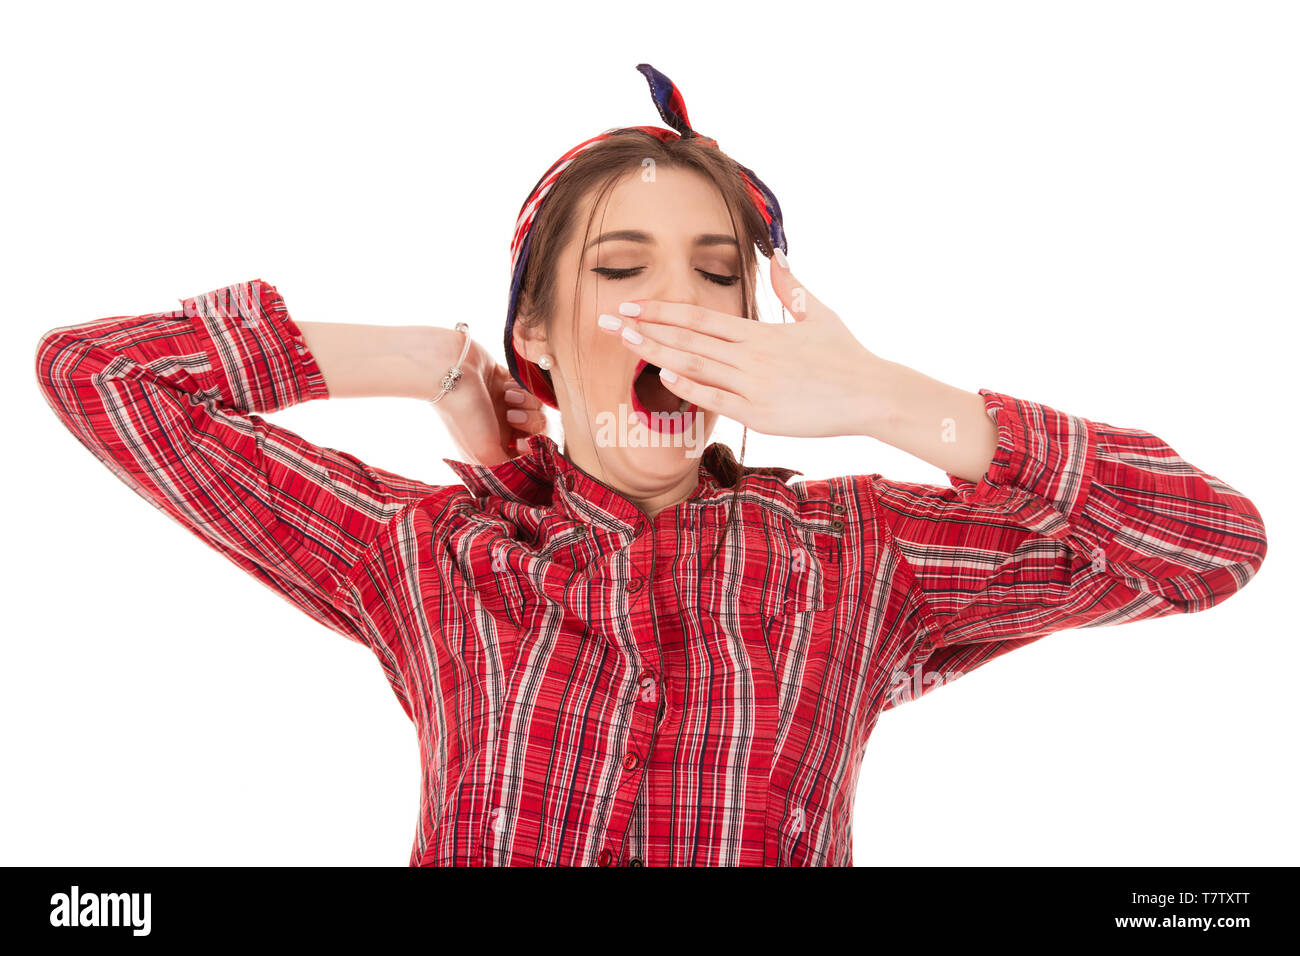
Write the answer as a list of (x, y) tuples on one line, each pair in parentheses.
[(600, 168)]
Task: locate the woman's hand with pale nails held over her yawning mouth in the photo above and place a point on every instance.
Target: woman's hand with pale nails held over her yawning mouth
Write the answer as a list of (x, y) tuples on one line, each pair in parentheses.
[(805, 379)]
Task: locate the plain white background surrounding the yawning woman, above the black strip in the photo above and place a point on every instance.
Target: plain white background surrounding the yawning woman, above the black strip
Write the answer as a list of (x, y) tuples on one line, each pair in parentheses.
[(1093, 206)]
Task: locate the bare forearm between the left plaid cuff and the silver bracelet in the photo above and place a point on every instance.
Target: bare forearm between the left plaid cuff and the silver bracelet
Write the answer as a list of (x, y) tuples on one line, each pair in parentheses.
[(362, 361)]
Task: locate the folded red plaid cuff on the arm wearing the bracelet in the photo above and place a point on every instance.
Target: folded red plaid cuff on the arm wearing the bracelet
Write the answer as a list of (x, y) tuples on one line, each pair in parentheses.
[(259, 356)]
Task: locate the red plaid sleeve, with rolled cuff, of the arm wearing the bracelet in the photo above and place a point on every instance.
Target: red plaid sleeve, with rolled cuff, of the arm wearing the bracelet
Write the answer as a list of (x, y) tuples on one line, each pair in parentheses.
[(172, 404)]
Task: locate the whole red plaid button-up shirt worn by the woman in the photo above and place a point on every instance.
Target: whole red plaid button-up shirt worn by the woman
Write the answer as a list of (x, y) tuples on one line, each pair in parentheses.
[(583, 691)]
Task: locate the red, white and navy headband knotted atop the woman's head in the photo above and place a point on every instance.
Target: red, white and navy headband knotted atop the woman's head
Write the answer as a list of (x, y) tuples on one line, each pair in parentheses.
[(673, 109)]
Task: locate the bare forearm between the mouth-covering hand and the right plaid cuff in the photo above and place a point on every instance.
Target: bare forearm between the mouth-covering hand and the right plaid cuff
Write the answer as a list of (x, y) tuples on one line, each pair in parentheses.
[(938, 423)]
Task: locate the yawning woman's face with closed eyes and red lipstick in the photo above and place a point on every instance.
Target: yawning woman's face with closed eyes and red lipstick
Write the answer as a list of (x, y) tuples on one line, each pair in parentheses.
[(668, 239)]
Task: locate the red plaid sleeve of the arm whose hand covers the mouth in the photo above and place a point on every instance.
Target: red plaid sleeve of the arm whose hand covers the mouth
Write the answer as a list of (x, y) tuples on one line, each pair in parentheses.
[(1076, 524)]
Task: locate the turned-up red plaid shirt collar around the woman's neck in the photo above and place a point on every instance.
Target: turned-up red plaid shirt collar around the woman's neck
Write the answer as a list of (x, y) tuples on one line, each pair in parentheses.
[(545, 478)]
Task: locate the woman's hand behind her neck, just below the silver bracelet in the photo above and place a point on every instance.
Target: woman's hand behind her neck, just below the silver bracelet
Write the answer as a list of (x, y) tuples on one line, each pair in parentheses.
[(475, 412)]
